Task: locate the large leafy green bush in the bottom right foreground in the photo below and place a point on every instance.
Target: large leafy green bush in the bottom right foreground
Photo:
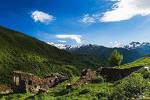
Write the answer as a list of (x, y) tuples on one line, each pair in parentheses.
[(129, 87)]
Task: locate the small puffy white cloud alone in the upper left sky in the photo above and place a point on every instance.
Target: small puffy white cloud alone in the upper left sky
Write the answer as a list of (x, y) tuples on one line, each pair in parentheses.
[(42, 17)]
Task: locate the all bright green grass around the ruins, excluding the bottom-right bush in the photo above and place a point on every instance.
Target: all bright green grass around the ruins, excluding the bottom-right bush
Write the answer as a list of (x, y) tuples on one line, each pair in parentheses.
[(94, 91)]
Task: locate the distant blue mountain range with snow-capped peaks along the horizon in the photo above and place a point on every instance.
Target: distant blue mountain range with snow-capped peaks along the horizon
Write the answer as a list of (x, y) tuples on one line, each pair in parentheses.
[(131, 52)]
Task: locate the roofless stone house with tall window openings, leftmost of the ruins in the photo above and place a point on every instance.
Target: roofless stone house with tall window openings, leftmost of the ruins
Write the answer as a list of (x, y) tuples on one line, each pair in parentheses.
[(27, 82)]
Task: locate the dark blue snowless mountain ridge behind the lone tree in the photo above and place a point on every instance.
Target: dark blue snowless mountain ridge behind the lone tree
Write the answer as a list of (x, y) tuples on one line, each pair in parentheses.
[(103, 53)]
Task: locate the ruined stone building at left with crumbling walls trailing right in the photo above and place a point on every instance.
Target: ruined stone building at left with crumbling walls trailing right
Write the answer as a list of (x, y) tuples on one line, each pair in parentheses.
[(27, 82)]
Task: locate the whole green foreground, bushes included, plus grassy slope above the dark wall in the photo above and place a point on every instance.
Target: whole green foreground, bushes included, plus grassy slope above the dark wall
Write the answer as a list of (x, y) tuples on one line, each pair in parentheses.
[(134, 86)]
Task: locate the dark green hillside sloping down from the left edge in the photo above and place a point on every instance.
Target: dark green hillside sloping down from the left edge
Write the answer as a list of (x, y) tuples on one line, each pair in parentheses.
[(21, 52)]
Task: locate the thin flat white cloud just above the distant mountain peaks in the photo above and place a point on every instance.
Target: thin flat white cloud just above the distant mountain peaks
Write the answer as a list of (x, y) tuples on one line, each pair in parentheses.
[(77, 38)]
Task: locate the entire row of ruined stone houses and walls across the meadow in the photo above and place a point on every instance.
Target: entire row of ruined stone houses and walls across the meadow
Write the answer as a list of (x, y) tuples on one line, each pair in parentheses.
[(27, 82)]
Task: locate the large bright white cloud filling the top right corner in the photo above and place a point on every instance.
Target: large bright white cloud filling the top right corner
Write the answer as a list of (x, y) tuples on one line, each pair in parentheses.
[(126, 9)]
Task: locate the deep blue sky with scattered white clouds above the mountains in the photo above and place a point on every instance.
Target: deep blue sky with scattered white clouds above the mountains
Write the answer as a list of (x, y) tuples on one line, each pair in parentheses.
[(77, 22)]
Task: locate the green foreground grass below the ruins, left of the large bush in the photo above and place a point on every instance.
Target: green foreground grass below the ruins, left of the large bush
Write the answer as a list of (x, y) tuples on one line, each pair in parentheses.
[(94, 91)]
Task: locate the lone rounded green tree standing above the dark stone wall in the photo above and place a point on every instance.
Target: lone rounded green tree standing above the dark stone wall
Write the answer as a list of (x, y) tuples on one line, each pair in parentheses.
[(115, 58)]
